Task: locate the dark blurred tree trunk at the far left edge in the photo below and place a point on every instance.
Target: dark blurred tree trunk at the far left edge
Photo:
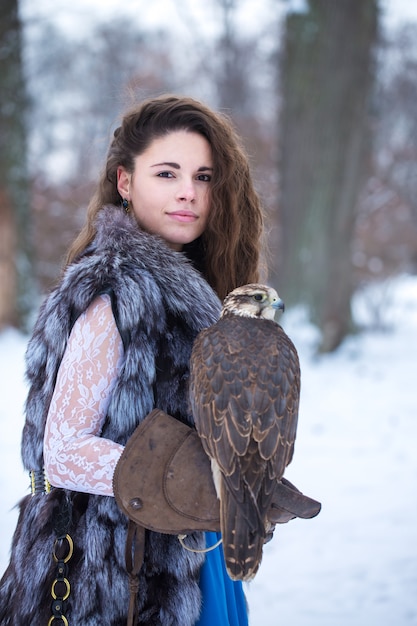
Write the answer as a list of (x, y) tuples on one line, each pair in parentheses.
[(16, 271)]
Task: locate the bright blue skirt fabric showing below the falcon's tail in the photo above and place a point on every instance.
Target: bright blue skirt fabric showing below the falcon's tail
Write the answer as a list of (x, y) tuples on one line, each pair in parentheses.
[(224, 602)]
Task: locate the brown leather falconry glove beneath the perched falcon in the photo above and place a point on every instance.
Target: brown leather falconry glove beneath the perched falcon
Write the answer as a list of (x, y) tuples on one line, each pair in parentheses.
[(163, 482)]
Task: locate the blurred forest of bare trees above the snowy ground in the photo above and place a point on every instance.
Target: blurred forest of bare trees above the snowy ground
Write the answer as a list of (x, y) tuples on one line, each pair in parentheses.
[(323, 93)]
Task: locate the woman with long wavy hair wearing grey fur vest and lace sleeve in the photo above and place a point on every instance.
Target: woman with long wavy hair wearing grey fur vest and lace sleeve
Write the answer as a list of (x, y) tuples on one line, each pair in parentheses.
[(175, 224)]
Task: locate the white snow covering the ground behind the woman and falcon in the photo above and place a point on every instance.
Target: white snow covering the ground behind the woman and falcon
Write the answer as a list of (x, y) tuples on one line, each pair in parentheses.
[(356, 563)]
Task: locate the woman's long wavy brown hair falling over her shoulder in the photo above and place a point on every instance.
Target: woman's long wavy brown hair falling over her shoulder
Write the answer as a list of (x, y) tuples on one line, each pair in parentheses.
[(229, 251)]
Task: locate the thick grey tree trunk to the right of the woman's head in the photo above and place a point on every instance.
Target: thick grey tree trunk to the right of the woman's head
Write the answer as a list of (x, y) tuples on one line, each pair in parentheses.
[(327, 79)]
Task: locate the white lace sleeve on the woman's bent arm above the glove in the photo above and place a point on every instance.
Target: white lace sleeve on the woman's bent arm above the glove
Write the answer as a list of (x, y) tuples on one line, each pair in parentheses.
[(75, 455)]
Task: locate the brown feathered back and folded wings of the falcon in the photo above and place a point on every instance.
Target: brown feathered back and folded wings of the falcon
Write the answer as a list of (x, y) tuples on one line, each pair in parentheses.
[(244, 387)]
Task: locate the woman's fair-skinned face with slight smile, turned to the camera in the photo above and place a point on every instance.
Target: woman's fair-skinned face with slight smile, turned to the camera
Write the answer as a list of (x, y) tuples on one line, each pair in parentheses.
[(169, 189)]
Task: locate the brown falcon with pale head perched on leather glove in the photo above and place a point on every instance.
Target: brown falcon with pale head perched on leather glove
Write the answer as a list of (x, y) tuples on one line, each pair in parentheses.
[(244, 396)]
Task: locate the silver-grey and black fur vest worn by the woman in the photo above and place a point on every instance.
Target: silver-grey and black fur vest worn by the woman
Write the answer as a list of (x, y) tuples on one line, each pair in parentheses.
[(160, 303)]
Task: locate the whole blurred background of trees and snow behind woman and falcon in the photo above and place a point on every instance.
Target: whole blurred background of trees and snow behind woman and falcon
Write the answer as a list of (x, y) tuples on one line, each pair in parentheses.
[(324, 95)]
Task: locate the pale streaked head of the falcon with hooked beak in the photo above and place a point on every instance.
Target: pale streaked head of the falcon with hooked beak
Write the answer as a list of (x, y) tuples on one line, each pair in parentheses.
[(254, 300)]
